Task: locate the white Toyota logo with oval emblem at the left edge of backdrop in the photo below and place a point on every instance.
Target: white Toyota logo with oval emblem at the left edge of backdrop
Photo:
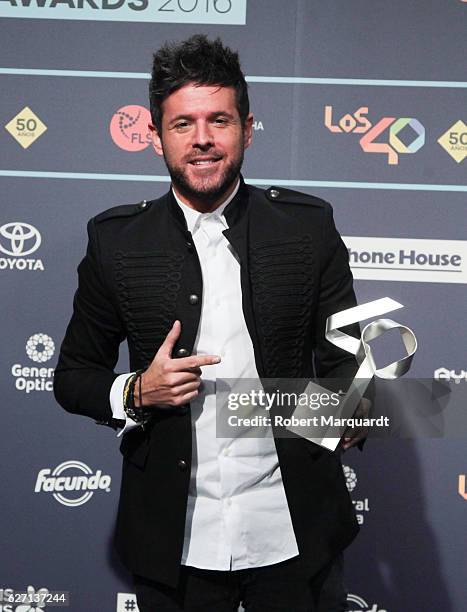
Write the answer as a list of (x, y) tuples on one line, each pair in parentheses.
[(19, 239)]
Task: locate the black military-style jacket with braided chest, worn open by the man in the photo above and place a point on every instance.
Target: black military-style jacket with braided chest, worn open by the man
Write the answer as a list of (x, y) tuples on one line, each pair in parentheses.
[(140, 269)]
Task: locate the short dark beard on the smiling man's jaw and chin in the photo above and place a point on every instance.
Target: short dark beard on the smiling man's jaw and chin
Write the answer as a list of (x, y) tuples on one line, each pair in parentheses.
[(209, 189)]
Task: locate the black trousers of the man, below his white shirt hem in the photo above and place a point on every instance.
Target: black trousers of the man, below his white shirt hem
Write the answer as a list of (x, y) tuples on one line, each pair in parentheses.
[(283, 587)]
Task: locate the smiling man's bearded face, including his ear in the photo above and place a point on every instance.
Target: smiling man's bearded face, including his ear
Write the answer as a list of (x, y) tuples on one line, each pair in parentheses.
[(202, 142)]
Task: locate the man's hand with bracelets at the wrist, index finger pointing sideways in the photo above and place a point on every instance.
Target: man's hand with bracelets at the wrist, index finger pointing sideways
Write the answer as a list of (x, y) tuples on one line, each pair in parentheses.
[(172, 382)]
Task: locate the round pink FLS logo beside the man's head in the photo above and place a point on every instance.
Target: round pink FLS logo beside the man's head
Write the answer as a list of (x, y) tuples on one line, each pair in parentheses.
[(129, 128)]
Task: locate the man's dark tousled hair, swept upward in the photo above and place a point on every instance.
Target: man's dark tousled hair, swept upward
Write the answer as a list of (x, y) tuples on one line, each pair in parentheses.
[(200, 61)]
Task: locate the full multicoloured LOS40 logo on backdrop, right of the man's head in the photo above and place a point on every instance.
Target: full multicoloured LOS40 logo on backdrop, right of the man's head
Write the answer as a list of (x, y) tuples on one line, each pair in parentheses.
[(358, 123)]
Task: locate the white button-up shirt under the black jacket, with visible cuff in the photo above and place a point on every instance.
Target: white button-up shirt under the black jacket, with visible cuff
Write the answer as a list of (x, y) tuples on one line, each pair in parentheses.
[(237, 515)]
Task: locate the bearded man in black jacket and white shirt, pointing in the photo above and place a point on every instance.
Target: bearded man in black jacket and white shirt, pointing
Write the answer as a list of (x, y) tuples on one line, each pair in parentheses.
[(239, 282)]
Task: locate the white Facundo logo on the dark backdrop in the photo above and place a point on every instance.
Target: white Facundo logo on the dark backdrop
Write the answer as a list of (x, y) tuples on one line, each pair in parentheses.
[(85, 483)]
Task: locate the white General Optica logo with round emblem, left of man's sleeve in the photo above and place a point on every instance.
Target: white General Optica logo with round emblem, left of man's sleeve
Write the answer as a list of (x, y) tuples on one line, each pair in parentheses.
[(39, 348)]
